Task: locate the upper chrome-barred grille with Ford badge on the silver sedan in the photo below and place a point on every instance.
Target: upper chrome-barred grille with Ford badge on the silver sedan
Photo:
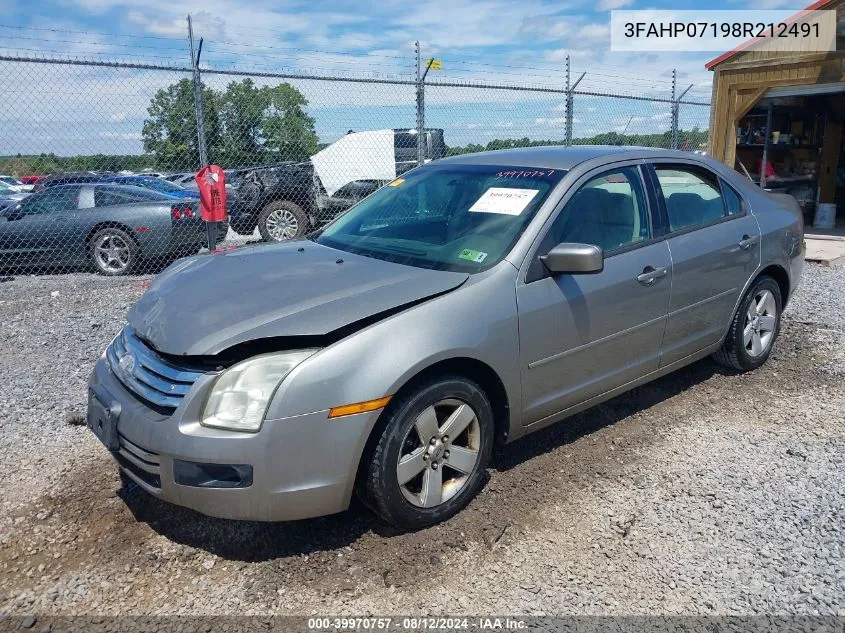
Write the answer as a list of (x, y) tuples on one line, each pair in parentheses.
[(148, 375)]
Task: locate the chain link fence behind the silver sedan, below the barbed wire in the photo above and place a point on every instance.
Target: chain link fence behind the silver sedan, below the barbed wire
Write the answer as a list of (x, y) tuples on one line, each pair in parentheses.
[(99, 158)]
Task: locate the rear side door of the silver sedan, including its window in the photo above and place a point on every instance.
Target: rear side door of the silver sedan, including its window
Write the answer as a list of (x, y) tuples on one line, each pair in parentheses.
[(715, 246)]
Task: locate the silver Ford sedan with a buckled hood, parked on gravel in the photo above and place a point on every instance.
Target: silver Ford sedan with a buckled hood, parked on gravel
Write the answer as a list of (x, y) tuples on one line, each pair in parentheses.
[(467, 303)]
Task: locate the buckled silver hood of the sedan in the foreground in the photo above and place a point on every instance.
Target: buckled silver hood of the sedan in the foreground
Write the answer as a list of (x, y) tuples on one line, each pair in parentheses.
[(208, 303)]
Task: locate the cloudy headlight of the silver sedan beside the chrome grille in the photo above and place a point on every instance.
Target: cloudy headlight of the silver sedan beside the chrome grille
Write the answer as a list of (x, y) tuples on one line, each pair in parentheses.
[(241, 394)]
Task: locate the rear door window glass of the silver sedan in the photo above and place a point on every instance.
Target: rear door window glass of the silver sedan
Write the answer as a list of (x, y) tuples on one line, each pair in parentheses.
[(692, 194)]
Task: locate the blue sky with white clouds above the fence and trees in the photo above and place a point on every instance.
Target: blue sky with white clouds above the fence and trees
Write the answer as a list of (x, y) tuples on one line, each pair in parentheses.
[(72, 109)]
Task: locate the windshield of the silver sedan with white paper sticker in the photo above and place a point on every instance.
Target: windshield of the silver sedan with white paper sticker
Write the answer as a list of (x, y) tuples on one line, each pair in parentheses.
[(448, 217)]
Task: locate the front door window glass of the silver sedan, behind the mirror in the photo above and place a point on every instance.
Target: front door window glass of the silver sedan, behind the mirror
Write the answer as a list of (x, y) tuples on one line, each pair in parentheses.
[(609, 211)]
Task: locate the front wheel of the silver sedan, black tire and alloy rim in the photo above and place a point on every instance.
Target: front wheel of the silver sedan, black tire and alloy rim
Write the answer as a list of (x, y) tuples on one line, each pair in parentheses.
[(432, 455)]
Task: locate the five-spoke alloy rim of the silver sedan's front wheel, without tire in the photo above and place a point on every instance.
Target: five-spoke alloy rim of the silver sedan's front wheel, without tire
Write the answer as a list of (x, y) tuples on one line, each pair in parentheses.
[(439, 453)]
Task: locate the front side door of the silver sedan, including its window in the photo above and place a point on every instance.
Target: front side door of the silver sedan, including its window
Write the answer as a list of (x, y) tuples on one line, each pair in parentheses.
[(584, 334)]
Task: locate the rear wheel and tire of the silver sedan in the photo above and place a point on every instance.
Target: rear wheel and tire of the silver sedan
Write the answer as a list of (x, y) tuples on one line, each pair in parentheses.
[(754, 328)]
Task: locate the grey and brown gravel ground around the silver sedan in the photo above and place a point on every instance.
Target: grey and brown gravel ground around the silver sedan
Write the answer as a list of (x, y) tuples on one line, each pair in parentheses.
[(705, 492)]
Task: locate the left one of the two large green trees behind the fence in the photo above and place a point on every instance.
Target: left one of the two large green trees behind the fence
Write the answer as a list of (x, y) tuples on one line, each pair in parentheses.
[(170, 132)]
